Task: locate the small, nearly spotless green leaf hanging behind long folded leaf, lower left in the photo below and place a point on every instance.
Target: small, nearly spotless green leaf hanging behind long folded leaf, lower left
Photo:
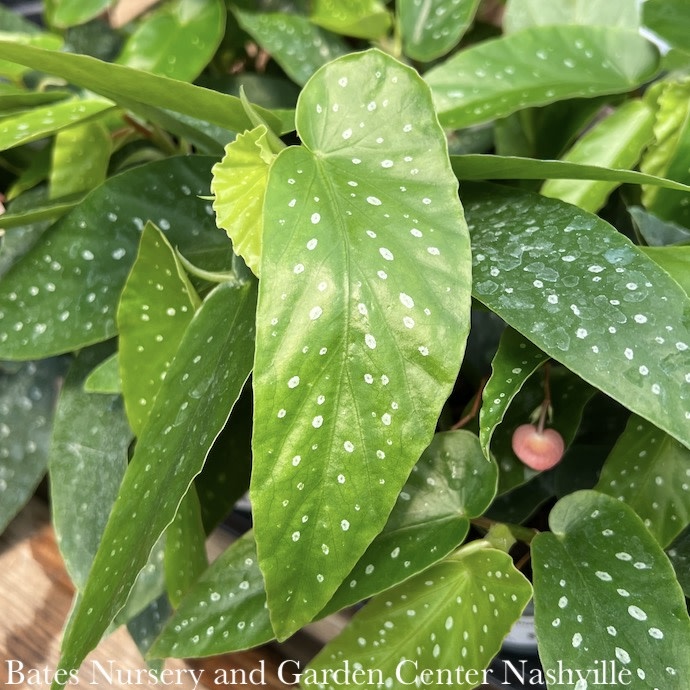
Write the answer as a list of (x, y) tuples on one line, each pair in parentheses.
[(185, 548)]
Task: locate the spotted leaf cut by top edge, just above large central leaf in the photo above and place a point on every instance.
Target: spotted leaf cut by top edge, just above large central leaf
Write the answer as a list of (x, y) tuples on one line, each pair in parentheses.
[(431, 28)]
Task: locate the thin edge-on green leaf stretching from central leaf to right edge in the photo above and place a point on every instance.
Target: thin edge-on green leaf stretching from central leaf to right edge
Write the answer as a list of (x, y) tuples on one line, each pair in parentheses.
[(477, 166)]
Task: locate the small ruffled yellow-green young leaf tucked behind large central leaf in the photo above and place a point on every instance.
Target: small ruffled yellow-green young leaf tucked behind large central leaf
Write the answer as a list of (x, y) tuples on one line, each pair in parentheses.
[(239, 187)]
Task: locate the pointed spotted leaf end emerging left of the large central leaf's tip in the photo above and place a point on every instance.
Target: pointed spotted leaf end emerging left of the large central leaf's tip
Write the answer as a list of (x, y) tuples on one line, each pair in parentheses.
[(228, 600)]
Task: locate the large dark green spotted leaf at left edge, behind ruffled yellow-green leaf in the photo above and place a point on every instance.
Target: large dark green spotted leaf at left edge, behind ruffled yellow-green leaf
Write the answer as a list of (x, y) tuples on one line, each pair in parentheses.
[(46, 308)]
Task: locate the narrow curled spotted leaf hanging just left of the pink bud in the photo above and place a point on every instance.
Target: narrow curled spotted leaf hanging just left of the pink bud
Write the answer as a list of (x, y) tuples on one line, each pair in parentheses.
[(515, 361)]
